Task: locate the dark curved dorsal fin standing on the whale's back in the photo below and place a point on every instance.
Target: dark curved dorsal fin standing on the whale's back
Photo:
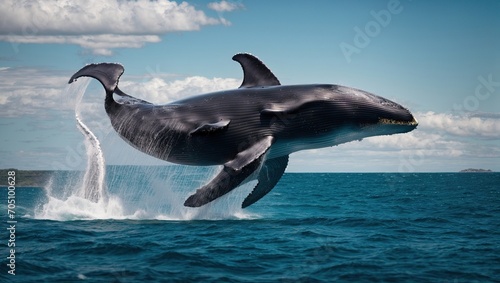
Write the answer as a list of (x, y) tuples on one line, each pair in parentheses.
[(255, 73)]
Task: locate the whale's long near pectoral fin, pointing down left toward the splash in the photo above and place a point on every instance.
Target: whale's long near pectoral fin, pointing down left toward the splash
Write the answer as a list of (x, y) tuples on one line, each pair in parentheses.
[(232, 175)]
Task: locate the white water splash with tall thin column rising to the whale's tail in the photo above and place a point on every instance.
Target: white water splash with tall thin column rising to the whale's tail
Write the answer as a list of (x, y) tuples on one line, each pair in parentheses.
[(151, 196)]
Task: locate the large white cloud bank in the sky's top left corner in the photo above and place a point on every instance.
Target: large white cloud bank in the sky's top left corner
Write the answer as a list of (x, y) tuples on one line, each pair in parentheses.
[(97, 25)]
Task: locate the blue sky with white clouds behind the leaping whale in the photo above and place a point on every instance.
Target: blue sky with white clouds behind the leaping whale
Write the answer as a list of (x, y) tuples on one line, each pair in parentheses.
[(441, 59)]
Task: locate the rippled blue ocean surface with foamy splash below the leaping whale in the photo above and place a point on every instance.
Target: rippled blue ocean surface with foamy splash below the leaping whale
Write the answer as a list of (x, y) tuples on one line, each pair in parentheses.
[(342, 227)]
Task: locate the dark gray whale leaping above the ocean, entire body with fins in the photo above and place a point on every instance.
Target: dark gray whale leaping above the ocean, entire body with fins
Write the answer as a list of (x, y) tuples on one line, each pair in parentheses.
[(250, 130)]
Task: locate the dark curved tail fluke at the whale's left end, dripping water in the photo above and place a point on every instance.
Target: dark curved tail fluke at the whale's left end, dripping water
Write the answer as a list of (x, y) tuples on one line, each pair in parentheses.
[(107, 74)]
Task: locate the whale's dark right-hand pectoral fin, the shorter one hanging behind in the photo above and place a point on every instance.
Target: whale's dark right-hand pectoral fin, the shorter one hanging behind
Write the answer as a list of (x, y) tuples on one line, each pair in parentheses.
[(269, 175)]
